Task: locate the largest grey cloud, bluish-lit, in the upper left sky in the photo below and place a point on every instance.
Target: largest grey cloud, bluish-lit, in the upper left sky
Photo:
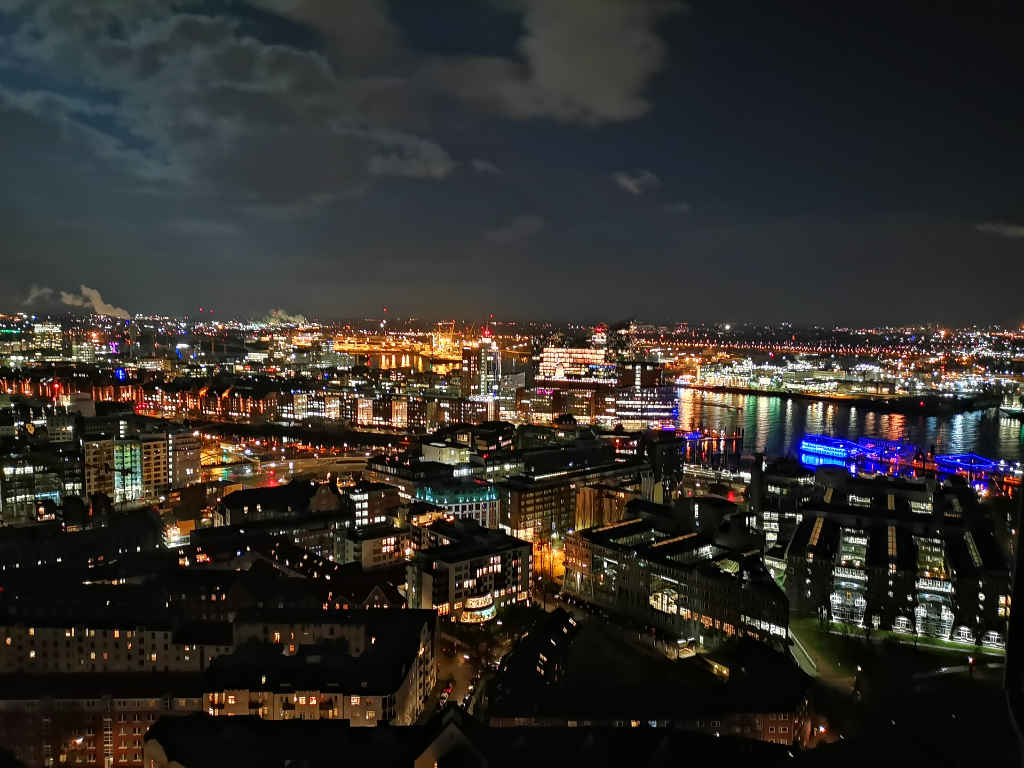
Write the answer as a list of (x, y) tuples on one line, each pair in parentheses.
[(236, 116)]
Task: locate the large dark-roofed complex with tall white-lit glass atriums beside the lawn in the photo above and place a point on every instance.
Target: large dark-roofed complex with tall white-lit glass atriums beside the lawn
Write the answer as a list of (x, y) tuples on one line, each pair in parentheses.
[(911, 561)]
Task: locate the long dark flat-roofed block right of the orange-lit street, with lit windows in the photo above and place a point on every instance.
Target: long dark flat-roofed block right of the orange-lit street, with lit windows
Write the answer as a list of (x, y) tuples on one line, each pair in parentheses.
[(693, 585)]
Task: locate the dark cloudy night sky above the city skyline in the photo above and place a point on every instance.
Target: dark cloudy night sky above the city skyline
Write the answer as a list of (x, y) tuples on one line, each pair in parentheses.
[(552, 159)]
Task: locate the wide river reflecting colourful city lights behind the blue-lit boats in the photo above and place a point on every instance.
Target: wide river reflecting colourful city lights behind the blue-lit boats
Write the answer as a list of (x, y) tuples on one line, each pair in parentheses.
[(775, 425)]
